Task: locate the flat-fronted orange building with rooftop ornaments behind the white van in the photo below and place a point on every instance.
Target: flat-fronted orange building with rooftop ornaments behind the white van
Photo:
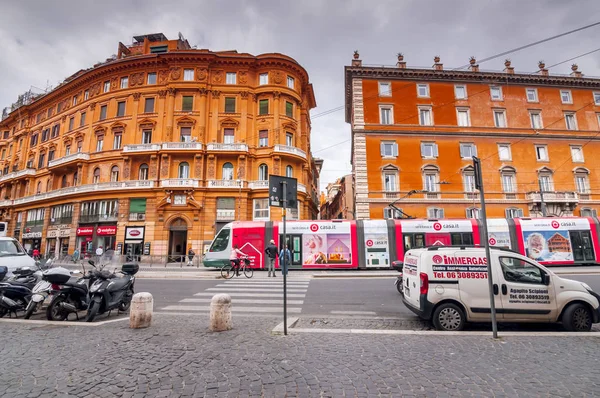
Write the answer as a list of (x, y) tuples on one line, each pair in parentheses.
[(414, 132)]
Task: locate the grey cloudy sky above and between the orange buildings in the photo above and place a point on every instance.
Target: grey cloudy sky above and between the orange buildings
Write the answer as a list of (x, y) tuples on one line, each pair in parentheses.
[(45, 41)]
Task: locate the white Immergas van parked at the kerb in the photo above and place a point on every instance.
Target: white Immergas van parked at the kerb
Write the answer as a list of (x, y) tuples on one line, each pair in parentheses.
[(449, 286)]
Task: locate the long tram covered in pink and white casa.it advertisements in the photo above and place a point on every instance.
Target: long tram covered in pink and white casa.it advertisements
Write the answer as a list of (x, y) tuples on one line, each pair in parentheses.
[(363, 244)]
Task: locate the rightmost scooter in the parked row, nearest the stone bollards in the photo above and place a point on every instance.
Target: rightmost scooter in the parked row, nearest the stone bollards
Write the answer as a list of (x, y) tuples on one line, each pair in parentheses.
[(109, 292)]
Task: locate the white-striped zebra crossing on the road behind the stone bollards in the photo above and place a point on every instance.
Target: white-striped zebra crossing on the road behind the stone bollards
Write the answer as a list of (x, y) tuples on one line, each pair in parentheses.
[(248, 296)]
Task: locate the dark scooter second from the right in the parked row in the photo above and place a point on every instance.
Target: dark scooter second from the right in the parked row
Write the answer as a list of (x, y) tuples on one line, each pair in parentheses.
[(70, 293)]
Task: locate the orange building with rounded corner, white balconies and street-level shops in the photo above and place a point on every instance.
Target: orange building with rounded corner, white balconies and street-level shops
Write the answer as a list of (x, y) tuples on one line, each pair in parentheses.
[(155, 149)]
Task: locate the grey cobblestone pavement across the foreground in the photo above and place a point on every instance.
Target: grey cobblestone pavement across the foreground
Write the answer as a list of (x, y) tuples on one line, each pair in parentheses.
[(178, 357)]
